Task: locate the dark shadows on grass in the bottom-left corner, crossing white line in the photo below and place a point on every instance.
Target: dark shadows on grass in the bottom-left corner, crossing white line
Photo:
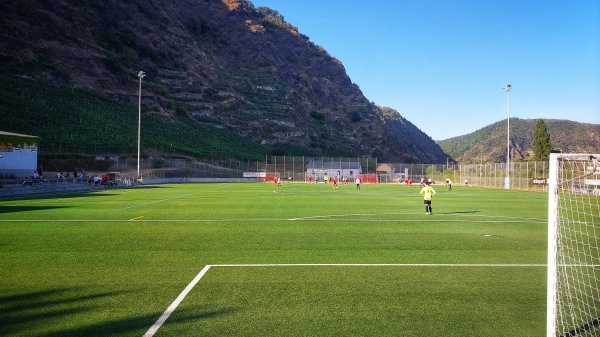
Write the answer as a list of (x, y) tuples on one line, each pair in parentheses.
[(24, 313)]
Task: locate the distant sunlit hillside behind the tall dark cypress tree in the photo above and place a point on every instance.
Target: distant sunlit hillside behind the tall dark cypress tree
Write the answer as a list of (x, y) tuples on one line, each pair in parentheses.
[(489, 143)]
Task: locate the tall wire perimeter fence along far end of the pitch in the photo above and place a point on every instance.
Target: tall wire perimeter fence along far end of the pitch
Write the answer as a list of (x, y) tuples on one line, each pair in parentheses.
[(523, 175)]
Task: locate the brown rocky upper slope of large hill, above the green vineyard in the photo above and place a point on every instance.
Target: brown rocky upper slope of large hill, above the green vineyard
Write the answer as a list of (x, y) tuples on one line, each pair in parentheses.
[(221, 63)]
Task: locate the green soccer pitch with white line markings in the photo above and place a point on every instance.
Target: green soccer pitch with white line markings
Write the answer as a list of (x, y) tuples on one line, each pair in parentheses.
[(256, 260)]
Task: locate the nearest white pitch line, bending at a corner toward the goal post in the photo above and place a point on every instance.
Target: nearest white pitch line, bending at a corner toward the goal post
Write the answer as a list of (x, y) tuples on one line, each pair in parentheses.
[(163, 318)]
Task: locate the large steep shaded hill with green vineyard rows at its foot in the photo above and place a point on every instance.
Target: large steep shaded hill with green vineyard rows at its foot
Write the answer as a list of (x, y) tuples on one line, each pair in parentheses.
[(223, 78)]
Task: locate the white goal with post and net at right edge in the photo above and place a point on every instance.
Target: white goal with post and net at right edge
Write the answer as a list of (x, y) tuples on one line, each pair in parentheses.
[(573, 299)]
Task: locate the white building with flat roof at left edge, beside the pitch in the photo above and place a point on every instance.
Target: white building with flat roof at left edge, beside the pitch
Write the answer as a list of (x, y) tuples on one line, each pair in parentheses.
[(18, 155)]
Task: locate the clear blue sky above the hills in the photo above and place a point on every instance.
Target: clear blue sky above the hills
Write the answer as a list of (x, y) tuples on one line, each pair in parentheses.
[(443, 64)]
